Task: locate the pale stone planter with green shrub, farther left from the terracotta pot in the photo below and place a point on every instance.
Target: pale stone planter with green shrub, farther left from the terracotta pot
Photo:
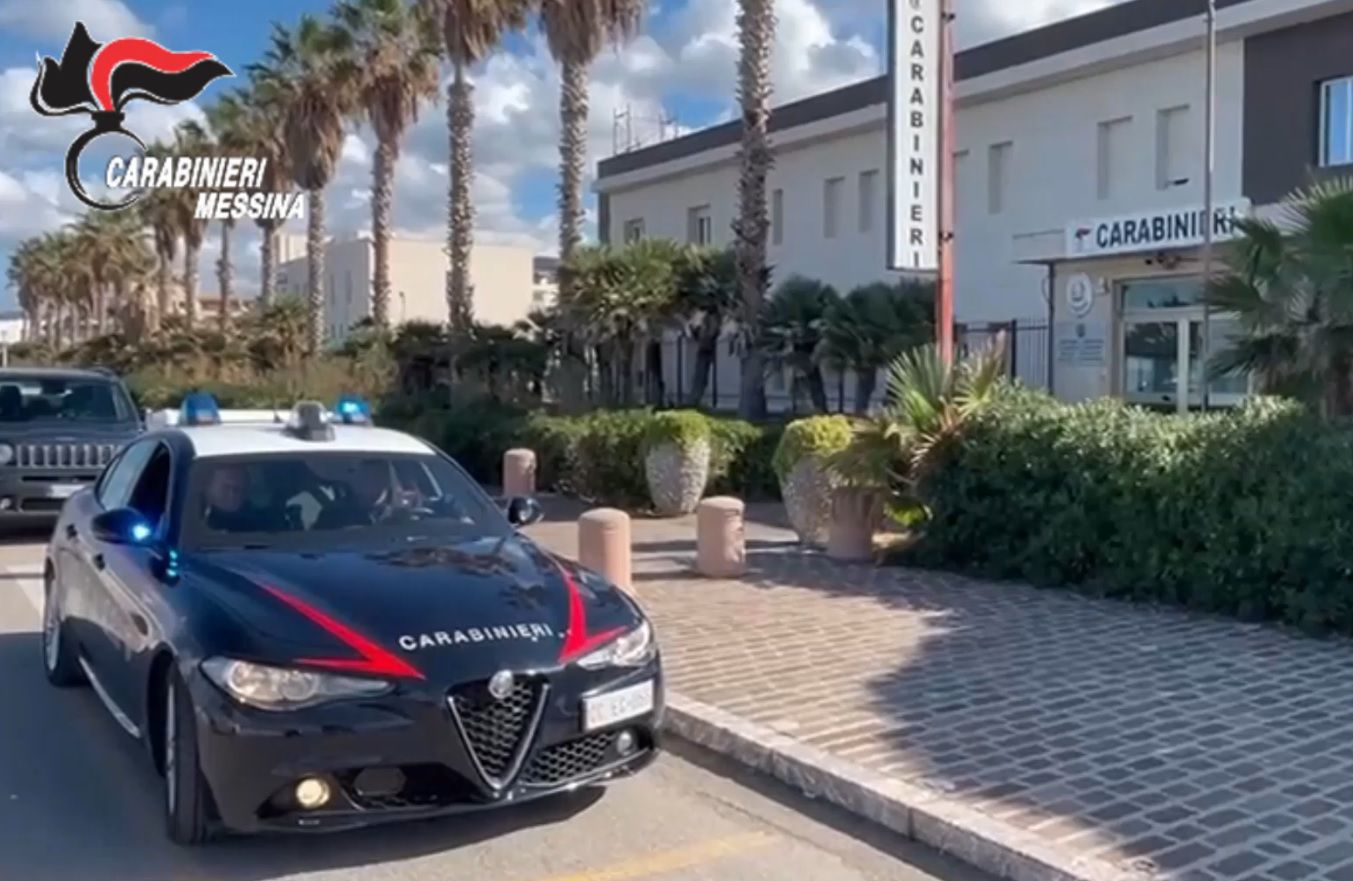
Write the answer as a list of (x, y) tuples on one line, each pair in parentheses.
[(677, 451)]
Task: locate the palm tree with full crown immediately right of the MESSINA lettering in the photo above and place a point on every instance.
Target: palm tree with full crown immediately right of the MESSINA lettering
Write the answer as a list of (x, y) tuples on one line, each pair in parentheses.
[(313, 78)]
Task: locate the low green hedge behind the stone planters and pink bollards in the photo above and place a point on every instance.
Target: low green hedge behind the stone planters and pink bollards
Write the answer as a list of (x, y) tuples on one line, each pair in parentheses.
[(599, 457)]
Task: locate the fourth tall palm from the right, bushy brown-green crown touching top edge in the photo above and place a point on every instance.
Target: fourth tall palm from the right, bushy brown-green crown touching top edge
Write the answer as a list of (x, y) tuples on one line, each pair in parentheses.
[(397, 51)]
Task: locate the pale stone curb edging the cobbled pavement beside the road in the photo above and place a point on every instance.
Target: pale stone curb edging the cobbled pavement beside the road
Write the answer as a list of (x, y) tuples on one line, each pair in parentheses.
[(925, 817)]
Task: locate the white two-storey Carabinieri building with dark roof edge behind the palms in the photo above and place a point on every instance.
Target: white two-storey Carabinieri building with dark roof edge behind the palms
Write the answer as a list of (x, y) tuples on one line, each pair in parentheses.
[(1079, 170)]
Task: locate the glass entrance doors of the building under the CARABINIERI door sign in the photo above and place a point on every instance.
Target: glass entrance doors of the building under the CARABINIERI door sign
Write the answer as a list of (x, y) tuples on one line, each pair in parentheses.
[(1163, 330)]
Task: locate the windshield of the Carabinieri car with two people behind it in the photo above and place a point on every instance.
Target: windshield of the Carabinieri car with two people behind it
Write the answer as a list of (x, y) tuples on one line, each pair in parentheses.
[(334, 501)]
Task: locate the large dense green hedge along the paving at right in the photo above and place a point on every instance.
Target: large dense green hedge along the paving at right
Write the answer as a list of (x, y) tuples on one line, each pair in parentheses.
[(1247, 514)]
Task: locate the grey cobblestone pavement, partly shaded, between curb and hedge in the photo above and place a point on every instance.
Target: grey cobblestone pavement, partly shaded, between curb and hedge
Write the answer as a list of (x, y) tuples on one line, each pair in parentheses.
[(1176, 746)]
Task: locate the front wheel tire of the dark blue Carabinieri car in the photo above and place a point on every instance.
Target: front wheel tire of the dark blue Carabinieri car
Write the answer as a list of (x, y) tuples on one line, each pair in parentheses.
[(187, 813)]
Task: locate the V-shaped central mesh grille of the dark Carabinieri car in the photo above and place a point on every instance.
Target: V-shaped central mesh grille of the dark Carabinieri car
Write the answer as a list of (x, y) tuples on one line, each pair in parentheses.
[(497, 733)]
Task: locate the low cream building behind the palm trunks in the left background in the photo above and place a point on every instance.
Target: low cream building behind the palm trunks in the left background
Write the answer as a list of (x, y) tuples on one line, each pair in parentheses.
[(503, 277)]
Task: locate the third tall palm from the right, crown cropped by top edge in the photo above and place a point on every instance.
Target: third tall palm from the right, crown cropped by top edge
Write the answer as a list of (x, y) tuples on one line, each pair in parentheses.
[(470, 30)]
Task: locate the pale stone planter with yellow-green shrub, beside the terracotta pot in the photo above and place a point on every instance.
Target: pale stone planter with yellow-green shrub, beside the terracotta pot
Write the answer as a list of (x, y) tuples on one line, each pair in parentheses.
[(806, 484)]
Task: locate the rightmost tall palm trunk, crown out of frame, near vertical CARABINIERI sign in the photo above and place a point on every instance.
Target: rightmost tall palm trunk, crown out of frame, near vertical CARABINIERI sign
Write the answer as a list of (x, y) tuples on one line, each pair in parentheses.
[(757, 35)]
